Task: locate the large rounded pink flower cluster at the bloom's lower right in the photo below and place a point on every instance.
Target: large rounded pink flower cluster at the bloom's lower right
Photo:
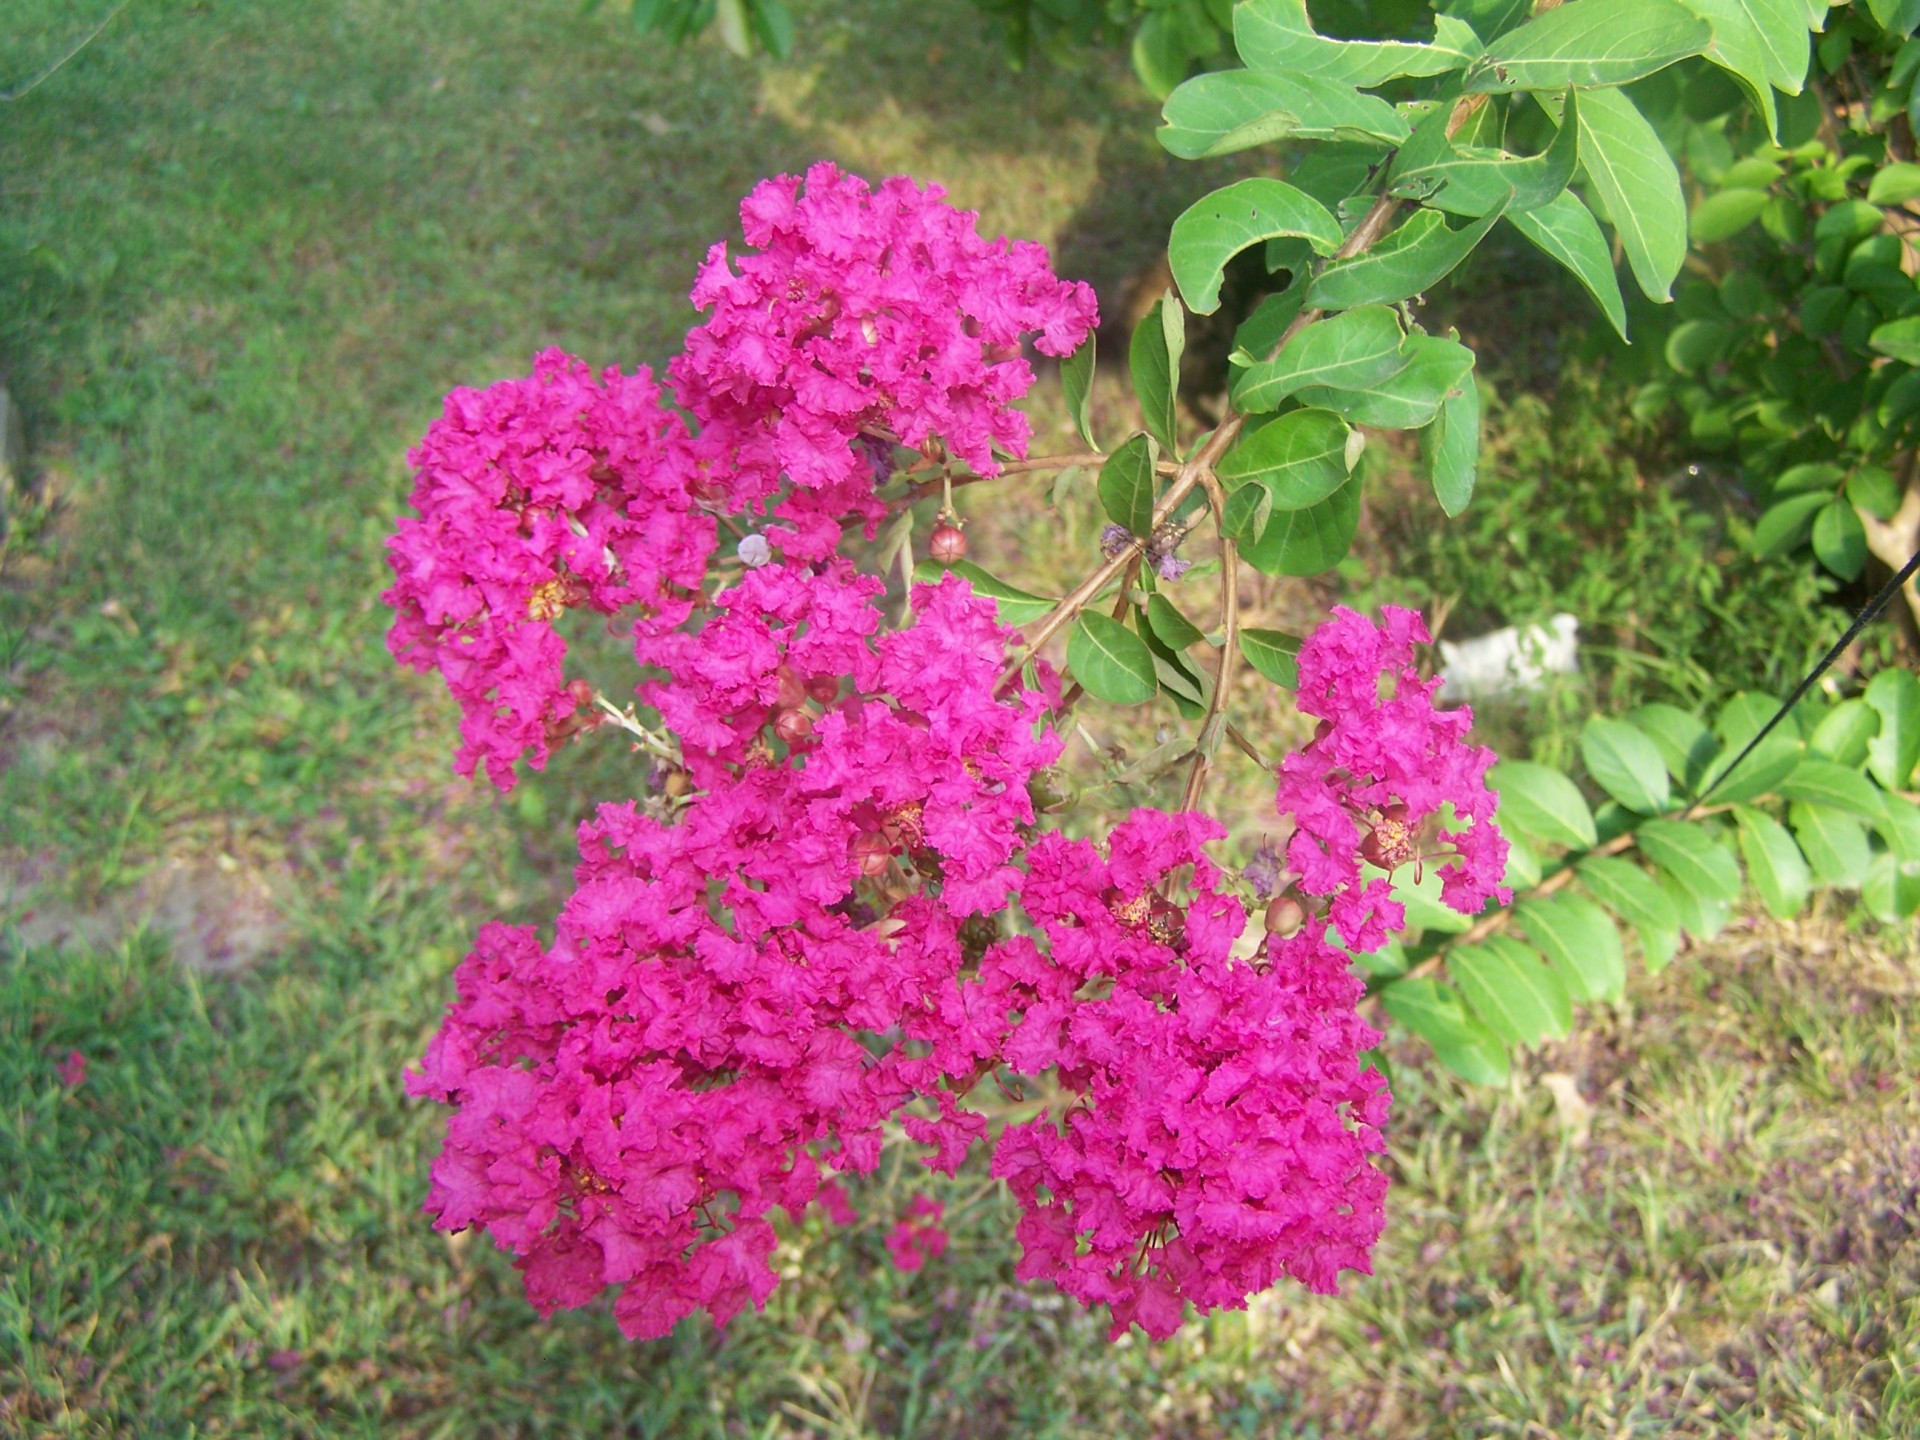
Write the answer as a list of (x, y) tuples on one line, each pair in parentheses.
[(1224, 1126)]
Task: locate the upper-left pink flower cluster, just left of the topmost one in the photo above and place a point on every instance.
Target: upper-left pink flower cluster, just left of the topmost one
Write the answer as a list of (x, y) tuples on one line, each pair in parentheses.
[(535, 498)]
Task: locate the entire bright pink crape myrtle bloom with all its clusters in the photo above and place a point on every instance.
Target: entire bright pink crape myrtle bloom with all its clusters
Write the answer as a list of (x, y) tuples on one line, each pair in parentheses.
[(853, 915)]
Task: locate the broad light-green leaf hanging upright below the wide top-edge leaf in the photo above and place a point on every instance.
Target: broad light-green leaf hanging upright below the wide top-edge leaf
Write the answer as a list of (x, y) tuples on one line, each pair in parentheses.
[(1639, 185)]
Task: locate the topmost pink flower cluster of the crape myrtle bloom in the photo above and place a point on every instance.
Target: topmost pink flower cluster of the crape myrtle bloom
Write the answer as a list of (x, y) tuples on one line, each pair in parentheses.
[(863, 314)]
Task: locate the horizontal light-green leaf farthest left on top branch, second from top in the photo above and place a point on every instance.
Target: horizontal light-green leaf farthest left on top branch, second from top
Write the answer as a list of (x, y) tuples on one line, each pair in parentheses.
[(1241, 108)]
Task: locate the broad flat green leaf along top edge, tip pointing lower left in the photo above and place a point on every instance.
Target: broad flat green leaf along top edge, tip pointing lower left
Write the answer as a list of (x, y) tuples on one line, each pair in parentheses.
[(1589, 45)]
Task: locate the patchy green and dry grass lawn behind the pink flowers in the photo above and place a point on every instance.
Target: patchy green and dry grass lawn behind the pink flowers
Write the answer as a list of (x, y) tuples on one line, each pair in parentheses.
[(245, 249)]
